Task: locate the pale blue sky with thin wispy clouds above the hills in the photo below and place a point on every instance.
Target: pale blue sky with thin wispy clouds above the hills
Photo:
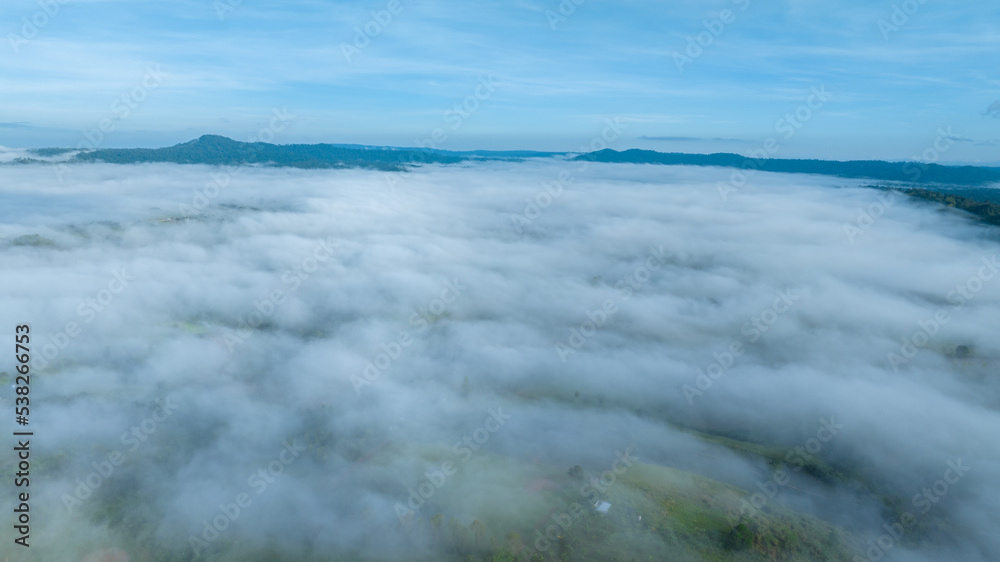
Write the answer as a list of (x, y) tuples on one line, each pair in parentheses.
[(557, 73)]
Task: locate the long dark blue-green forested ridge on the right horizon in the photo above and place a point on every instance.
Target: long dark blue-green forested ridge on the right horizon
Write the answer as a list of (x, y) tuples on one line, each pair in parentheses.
[(912, 172)]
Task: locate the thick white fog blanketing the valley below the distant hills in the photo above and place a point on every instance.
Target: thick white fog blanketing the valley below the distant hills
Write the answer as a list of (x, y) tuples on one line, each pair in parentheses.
[(312, 343)]
